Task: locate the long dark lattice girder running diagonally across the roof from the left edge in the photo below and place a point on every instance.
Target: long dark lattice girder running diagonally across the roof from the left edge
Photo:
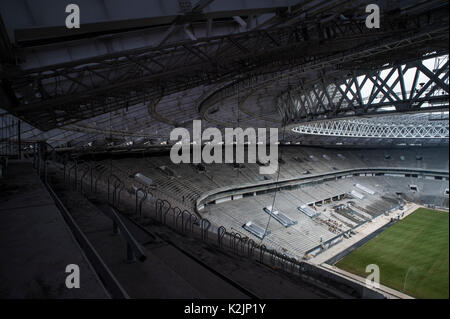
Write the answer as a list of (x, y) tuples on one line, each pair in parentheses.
[(62, 94)]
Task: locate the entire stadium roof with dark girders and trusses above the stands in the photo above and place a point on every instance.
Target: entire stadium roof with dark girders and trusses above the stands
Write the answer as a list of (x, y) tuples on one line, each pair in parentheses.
[(137, 69)]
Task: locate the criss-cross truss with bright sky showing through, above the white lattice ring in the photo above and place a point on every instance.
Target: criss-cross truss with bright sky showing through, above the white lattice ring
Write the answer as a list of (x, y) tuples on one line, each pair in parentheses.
[(409, 87)]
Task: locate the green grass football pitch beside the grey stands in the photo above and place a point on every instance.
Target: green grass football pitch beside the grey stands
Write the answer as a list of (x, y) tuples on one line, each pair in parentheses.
[(412, 255)]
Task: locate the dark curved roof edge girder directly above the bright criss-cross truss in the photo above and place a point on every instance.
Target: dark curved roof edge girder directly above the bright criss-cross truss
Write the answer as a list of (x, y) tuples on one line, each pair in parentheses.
[(337, 53)]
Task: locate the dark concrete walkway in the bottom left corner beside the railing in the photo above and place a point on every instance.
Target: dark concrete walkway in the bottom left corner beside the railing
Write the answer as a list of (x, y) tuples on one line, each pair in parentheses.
[(36, 243)]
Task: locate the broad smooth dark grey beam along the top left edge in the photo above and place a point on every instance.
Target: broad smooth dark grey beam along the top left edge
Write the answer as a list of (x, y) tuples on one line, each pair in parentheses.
[(118, 16)]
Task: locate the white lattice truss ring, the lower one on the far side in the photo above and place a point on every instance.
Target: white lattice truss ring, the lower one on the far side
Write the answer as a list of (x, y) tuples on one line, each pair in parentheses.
[(405, 126)]
